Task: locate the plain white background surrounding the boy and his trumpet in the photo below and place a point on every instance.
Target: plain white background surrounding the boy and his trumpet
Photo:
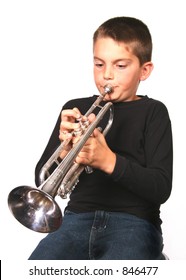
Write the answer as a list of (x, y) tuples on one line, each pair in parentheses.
[(45, 60)]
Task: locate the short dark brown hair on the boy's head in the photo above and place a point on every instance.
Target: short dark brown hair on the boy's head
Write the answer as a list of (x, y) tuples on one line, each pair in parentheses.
[(130, 31)]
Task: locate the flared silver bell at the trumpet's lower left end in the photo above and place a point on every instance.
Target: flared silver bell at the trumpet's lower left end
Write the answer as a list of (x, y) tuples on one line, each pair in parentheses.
[(35, 209)]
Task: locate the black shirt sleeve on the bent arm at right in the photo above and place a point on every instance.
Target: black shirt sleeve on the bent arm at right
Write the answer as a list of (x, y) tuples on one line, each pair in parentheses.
[(152, 182)]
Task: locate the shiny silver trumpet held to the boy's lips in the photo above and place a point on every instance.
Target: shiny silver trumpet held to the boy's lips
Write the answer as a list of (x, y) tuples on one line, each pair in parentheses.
[(36, 208)]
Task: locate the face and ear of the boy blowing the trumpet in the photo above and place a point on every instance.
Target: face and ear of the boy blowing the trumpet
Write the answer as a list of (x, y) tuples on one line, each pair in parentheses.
[(116, 65)]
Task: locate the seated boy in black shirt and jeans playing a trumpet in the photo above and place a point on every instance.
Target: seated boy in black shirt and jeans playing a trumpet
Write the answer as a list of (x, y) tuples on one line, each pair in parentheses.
[(114, 212)]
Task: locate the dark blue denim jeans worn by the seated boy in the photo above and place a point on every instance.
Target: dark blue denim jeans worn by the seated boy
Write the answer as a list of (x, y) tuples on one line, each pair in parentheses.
[(101, 235)]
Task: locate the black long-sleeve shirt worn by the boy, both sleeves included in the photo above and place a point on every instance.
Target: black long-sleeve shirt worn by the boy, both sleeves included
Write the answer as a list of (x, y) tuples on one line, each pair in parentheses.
[(141, 138)]
